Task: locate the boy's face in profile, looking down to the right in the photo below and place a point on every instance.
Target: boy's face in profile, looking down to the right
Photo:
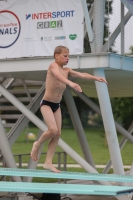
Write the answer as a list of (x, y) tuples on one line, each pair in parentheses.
[(63, 57)]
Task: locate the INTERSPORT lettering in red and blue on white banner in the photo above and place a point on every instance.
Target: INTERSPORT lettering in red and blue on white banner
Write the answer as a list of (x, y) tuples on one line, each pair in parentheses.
[(49, 15)]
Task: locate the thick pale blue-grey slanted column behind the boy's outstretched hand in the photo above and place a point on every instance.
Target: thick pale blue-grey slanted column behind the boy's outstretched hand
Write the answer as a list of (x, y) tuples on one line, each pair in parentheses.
[(109, 124)]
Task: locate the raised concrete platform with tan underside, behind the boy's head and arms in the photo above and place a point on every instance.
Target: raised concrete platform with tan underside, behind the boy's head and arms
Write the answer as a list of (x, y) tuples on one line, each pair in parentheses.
[(118, 71)]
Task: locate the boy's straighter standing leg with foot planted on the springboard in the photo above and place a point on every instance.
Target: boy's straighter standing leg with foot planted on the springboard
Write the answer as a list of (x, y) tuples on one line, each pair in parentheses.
[(53, 143)]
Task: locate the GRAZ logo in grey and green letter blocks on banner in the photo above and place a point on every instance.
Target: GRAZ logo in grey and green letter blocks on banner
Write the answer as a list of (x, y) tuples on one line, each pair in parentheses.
[(50, 24)]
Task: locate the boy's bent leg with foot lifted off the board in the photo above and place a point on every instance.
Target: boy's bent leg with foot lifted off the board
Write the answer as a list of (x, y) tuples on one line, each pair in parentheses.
[(50, 133)]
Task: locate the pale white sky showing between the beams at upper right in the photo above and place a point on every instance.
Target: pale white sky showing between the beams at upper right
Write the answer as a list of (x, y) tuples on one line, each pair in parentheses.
[(114, 21)]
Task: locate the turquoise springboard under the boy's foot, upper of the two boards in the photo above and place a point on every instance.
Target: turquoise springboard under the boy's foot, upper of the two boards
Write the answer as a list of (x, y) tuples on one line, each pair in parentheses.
[(65, 175)]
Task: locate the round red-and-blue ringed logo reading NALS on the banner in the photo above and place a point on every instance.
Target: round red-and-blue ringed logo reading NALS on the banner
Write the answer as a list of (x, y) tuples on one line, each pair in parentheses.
[(9, 29)]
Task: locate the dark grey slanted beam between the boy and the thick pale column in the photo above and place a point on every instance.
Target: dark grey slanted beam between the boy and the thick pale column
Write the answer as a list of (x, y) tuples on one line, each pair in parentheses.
[(78, 126)]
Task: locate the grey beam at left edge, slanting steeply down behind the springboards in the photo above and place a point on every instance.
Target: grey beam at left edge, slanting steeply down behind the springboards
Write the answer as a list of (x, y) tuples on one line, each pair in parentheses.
[(6, 151)]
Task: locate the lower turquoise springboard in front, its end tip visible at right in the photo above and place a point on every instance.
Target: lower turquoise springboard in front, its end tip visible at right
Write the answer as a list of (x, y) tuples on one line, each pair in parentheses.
[(64, 188)]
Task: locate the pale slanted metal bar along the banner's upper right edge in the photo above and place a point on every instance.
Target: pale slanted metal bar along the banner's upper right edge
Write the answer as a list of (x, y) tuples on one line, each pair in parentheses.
[(87, 21)]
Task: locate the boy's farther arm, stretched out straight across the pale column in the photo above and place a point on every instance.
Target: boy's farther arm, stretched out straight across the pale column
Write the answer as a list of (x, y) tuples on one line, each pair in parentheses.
[(86, 76)]
